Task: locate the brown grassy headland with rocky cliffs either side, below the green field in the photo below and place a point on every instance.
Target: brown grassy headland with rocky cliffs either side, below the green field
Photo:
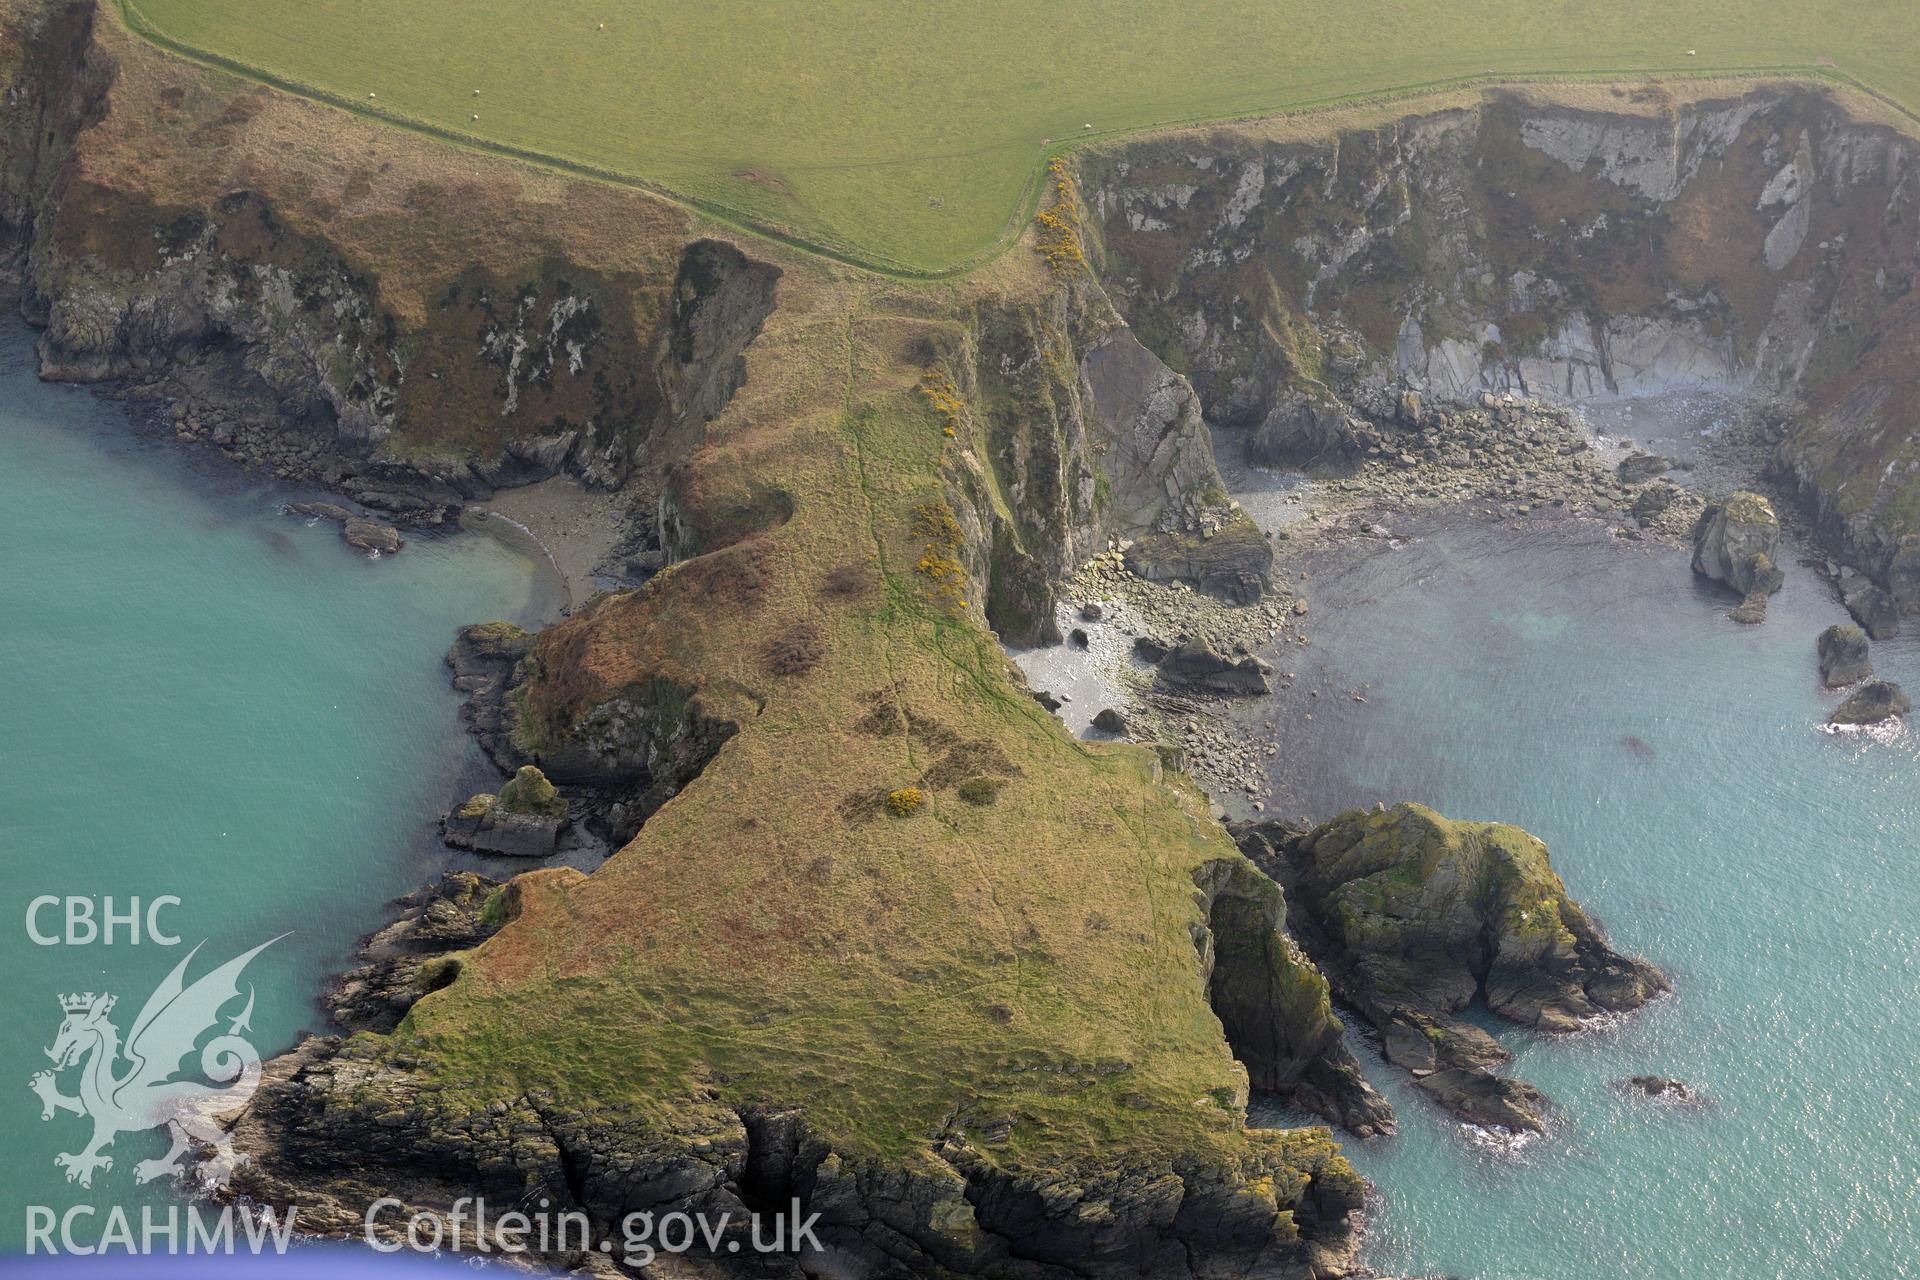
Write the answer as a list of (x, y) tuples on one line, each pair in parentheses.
[(880, 936)]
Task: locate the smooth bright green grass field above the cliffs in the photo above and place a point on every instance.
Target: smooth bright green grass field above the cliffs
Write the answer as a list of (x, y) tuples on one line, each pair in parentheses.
[(907, 135)]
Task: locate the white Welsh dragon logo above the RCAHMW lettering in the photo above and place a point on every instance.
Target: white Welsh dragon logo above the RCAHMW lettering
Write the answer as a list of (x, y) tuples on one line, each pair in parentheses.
[(145, 1093)]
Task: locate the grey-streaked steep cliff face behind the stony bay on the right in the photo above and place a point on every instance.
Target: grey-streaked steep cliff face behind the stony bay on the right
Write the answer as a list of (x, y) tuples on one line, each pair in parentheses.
[(1764, 241)]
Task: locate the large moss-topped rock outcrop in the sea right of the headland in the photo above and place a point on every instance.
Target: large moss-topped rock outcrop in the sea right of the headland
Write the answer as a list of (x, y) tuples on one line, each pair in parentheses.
[(1414, 916)]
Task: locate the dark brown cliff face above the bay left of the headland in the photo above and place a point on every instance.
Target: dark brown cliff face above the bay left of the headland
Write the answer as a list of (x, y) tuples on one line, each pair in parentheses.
[(304, 329)]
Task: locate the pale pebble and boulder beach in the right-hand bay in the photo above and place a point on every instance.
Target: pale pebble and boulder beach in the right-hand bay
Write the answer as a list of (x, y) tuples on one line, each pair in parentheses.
[(1497, 460)]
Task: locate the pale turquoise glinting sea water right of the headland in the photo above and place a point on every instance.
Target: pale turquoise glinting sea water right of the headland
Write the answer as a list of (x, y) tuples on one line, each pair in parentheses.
[(1673, 761)]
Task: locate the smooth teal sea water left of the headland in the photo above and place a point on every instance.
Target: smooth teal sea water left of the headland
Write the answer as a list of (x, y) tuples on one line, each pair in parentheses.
[(208, 699)]
